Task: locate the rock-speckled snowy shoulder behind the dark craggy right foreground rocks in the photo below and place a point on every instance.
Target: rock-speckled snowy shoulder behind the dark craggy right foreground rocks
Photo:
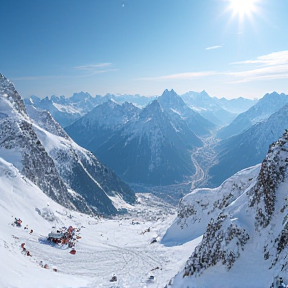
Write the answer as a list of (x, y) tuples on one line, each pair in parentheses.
[(197, 208)]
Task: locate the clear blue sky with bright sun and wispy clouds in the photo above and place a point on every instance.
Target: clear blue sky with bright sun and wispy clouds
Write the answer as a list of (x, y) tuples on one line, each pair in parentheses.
[(145, 46)]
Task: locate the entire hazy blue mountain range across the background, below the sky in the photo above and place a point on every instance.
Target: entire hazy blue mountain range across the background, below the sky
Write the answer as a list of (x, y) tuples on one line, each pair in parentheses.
[(107, 127)]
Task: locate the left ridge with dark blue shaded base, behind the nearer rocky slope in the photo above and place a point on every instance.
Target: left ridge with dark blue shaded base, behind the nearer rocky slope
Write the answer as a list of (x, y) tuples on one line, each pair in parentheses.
[(79, 168)]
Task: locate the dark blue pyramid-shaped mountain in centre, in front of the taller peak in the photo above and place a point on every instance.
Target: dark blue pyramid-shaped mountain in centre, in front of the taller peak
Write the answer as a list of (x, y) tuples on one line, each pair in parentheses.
[(152, 149)]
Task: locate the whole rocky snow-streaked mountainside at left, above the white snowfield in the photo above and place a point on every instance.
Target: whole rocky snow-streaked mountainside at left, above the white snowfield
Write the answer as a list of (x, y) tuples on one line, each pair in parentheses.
[(47, 156)]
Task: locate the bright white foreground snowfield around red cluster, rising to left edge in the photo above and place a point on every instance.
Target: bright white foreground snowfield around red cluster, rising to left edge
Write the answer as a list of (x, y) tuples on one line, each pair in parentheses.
[(118, 246)]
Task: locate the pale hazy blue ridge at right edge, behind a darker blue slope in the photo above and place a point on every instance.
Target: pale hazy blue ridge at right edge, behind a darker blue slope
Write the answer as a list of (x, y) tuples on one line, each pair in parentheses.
[(261, 111)]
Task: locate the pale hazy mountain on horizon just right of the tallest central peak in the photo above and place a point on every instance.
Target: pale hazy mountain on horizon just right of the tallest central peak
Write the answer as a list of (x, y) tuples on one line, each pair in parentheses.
[(208, 107)]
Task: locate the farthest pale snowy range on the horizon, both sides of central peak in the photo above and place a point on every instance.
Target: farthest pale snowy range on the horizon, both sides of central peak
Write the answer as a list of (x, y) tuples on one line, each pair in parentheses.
[(66, 110)]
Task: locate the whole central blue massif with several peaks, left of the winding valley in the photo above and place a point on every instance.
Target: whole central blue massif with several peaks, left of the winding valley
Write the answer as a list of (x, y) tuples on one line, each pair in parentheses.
[(152, 146)]
